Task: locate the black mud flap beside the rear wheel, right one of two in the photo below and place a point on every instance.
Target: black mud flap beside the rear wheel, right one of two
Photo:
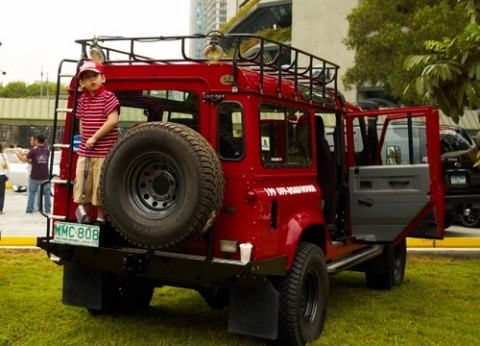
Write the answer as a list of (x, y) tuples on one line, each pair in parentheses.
[(254, 311)]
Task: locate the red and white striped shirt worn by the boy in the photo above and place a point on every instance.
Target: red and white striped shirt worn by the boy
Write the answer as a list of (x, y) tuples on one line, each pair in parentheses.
[(93, 111)]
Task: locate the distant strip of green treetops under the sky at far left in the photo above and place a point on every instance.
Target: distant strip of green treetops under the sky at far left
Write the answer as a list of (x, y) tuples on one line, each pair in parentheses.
[(20, 89)]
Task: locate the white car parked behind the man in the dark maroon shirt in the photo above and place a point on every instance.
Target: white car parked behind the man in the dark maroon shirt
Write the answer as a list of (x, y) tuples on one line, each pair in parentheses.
[(19, 171)]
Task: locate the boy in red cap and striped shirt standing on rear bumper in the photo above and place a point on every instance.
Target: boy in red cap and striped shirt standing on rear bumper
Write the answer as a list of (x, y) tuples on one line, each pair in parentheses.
[(98, 110)]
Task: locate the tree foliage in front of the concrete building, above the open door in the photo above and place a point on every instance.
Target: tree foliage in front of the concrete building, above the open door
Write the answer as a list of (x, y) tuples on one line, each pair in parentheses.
[(383, 33)]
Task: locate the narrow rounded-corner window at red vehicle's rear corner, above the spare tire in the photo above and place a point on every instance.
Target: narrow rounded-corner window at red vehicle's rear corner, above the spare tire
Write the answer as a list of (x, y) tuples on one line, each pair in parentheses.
[(230, 131)]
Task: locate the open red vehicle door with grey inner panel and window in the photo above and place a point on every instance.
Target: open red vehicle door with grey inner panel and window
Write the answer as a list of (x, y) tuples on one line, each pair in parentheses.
[(399, 192)]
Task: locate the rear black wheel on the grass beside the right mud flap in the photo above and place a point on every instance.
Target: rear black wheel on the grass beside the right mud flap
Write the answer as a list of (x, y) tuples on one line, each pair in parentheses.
[(303, 297)]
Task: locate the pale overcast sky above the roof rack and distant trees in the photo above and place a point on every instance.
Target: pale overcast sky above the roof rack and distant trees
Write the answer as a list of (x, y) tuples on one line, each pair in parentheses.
[(37, 34)]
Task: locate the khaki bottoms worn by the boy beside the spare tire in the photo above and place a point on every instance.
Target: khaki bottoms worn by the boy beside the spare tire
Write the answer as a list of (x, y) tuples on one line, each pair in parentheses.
[(91, 192)]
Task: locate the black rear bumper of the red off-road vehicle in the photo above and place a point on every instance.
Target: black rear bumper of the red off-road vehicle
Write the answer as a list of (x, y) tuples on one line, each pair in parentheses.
[(176, 269)]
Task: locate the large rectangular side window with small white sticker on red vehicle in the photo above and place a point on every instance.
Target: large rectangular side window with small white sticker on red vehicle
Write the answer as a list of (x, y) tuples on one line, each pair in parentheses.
[(284, 136)]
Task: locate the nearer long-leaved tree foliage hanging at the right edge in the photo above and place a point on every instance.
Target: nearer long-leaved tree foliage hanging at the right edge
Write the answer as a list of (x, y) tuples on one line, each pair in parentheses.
[(448, 73)]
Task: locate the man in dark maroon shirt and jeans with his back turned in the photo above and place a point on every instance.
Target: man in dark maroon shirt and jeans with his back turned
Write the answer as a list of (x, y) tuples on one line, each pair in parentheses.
[(38, 157)]
